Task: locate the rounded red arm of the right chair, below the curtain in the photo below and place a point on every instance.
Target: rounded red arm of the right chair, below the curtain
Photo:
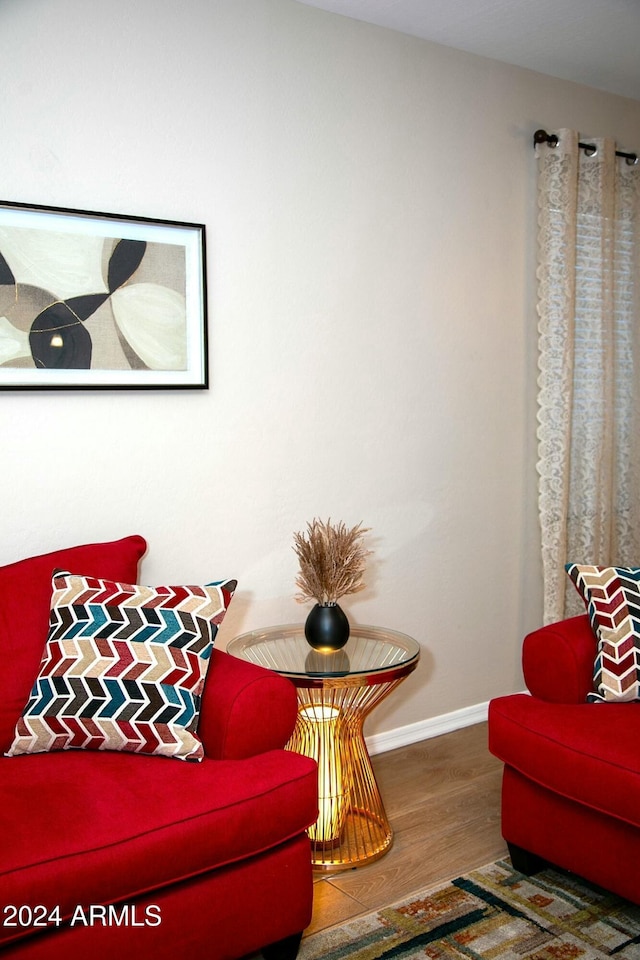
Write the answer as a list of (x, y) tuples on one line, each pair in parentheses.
[(558, 659)]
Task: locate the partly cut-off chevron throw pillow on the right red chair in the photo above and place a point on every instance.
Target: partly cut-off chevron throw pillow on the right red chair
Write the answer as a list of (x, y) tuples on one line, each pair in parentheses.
[(612, 598)]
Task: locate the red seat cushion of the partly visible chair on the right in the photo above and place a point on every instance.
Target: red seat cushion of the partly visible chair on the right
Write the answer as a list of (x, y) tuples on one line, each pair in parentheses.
[(587, 752)]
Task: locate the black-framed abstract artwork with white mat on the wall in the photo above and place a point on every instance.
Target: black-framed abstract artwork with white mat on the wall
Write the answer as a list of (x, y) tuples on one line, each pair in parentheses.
[(100, 301)]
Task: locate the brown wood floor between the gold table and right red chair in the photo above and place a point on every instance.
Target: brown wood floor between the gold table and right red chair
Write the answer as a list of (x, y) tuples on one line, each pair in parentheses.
[(442, 797)]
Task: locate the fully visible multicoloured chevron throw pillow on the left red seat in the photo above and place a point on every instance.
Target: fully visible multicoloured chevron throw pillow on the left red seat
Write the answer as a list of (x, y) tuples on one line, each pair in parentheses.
[(123, 668)]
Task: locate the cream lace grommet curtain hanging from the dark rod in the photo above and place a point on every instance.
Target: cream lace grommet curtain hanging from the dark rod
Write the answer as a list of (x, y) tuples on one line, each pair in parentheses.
[(589, 362)]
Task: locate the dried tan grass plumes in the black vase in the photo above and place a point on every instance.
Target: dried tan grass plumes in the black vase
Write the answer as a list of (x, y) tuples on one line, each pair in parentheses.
[(332, 559)]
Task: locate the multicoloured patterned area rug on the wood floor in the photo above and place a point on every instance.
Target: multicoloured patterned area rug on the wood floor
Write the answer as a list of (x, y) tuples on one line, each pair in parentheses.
[(493, 913)]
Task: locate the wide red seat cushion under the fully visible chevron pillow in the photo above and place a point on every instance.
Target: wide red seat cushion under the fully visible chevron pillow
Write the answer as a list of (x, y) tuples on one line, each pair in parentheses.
[(86, 829)]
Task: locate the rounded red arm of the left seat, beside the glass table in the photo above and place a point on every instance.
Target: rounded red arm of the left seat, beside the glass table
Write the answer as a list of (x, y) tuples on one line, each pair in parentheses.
[(246, 709)]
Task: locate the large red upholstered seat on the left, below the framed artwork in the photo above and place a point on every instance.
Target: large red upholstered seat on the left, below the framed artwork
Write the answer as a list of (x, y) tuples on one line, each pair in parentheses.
[(107, 854)]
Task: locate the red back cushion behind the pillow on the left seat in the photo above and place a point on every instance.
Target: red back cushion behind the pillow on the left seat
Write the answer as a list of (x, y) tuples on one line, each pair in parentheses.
[(25, 598)]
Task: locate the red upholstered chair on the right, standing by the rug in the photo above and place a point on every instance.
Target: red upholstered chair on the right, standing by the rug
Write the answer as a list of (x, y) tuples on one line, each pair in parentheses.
[(571, 783)]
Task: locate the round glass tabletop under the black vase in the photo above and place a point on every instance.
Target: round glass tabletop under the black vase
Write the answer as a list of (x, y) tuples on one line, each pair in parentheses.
[(369, 650)]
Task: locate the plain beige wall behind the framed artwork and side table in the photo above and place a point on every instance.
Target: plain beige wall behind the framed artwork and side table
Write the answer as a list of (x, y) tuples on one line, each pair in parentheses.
[(369, 203)]
